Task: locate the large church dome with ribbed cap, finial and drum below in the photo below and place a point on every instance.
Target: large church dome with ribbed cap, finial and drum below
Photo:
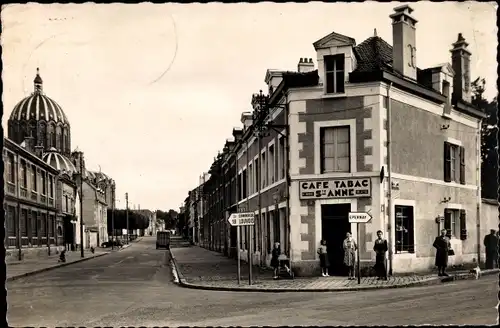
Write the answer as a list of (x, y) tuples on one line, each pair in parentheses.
[(42, 118)]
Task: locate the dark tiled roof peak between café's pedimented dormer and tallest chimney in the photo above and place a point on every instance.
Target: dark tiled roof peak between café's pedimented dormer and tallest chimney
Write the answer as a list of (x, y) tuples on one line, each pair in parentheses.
[(373, 54)]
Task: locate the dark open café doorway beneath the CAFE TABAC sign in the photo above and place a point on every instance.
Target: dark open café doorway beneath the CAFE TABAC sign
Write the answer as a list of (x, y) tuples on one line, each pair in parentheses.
[(334, 226)]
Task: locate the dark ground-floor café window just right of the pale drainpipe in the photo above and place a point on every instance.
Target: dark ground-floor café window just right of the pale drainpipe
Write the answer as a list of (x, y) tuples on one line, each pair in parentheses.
[(405, 239)]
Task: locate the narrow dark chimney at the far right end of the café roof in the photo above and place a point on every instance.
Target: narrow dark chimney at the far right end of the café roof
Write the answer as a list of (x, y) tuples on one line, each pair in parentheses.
[(460, 62)]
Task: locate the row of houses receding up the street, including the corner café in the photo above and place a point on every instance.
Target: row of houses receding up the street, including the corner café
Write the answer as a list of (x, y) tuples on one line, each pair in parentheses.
[(361, 129)]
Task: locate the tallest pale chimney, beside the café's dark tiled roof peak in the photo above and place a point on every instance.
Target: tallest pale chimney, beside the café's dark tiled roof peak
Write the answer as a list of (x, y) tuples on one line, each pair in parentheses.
[(404, 49)]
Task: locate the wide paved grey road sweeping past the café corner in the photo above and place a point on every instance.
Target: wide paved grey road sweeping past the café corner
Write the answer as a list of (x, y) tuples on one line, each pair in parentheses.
[(133, 287)]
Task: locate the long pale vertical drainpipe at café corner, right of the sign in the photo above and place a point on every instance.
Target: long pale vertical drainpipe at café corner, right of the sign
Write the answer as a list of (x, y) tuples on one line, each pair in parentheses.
[(389, 182)]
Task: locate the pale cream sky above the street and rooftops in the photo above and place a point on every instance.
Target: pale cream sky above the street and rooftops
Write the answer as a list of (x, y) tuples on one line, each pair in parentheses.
[(153, 91)]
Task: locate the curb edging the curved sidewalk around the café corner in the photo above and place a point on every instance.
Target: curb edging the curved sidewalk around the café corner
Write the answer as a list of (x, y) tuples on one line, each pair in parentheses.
[(426, 282)]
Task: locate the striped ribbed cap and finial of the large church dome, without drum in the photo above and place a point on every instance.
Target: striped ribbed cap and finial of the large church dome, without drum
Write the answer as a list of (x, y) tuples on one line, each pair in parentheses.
[(38, 107)]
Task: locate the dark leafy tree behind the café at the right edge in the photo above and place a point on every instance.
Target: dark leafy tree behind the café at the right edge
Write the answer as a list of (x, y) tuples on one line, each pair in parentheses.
[(489, 129)]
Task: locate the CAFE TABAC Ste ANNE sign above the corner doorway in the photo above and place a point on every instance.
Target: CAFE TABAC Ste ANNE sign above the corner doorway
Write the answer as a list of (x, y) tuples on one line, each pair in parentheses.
[(335, 188)]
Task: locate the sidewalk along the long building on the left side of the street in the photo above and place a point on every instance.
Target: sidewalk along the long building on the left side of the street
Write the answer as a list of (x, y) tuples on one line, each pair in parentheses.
[(22, 269)]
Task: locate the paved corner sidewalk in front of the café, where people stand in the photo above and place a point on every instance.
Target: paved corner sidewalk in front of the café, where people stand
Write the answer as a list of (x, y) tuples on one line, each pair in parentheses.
[(199, 268)]
